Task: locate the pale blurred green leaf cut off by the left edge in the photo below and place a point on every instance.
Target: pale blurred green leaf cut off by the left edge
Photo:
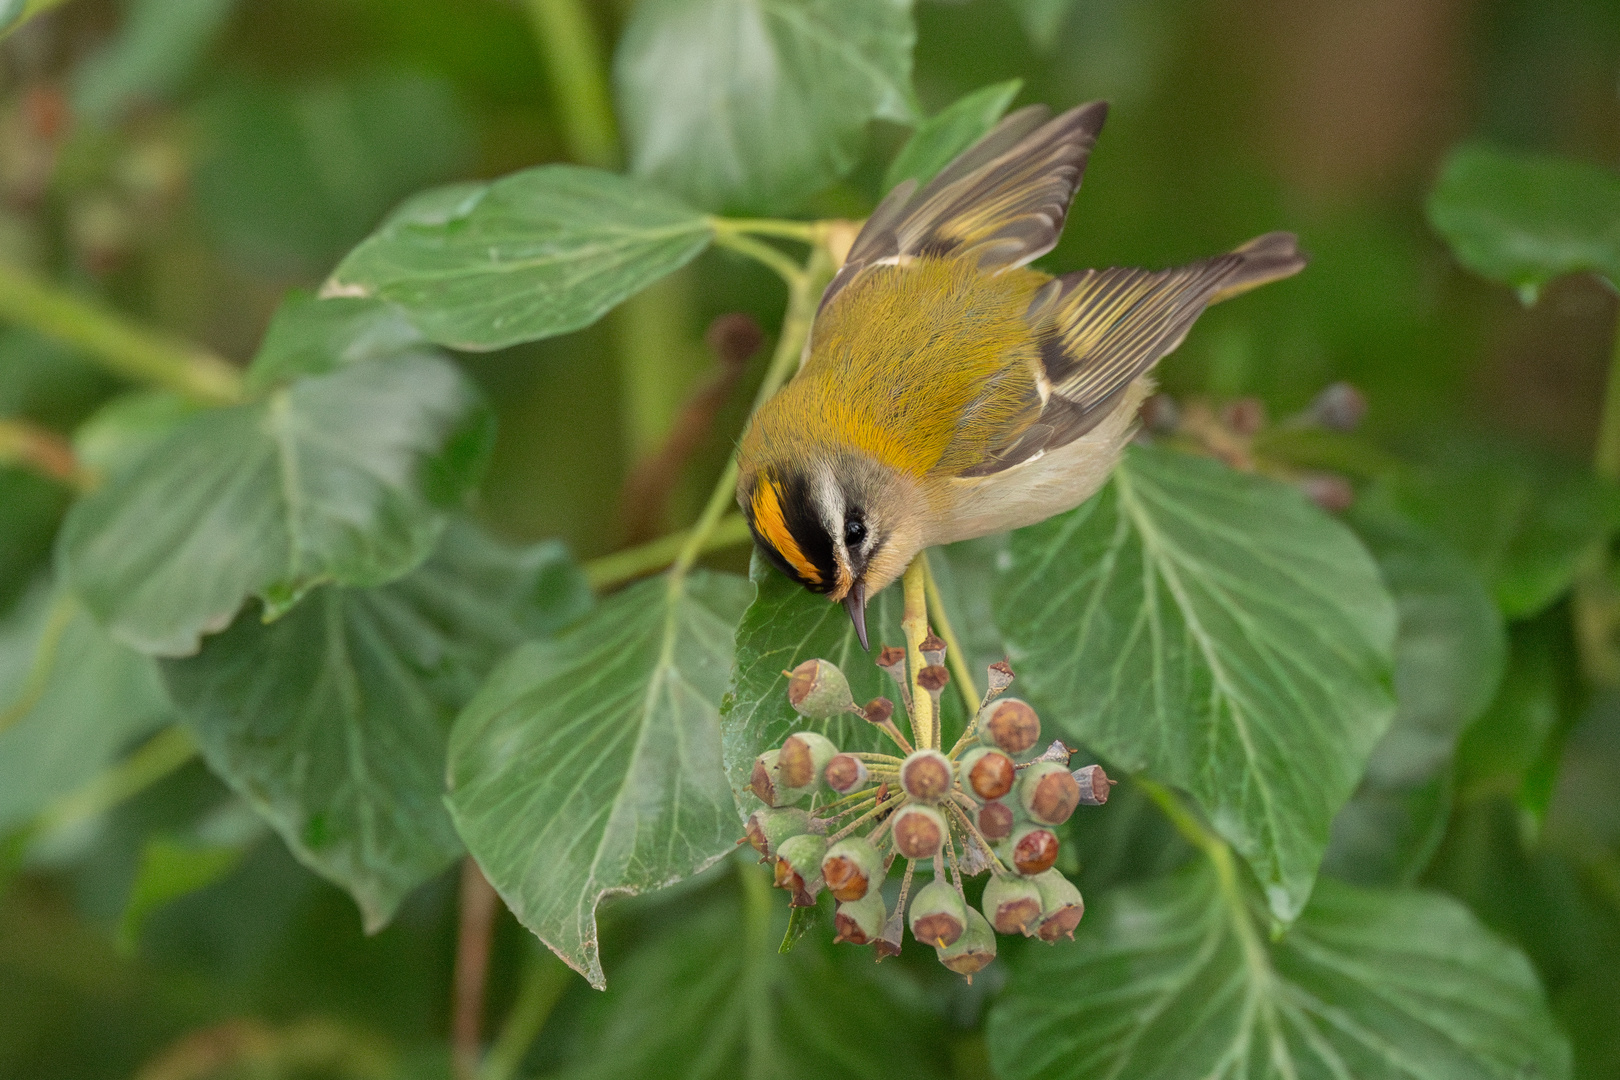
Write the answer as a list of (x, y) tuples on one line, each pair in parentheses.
[(72, 700)]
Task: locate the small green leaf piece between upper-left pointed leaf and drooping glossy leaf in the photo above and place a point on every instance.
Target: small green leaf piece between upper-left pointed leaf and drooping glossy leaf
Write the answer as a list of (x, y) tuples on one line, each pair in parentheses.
[(312, 338)]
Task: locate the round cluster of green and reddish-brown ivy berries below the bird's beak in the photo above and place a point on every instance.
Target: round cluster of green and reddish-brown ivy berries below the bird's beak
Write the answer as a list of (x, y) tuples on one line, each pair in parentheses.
[(837, 820)]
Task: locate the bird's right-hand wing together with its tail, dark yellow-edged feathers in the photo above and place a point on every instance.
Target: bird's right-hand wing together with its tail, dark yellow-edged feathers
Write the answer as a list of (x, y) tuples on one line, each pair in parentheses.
[(1102, 330)]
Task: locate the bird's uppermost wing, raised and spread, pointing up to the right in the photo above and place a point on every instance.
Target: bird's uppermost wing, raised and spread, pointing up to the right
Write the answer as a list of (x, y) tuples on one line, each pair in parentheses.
[(1004, 198)]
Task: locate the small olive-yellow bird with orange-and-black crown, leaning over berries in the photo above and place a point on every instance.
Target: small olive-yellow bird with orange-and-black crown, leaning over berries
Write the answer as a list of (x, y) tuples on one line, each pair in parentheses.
[(949, 391)]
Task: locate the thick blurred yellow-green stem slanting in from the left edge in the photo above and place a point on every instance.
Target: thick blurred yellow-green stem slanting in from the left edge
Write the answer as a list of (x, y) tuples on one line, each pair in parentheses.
[(117, 344)]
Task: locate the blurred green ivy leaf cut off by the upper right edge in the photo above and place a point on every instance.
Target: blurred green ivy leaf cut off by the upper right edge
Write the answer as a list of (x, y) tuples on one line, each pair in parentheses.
[(1525, 219)]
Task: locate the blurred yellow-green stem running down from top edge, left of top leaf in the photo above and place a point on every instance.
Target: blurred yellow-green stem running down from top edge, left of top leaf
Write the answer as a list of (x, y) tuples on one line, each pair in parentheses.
[(574, 61)]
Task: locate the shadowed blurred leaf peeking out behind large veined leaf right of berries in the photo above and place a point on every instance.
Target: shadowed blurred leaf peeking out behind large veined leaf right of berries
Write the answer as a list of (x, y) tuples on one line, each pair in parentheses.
[(1449, 652)]
